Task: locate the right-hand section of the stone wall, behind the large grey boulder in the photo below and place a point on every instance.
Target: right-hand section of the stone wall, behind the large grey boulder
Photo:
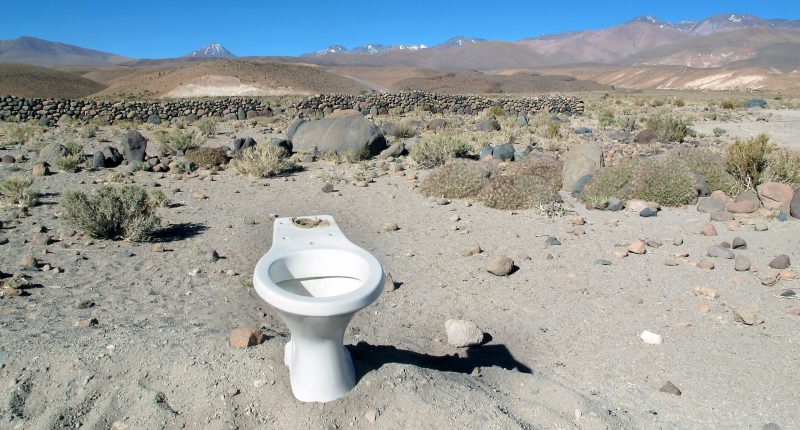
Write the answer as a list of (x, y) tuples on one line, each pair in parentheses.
[(385, 103)]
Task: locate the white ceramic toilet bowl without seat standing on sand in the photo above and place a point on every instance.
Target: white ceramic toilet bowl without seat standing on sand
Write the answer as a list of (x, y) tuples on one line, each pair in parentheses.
[(316, 279)]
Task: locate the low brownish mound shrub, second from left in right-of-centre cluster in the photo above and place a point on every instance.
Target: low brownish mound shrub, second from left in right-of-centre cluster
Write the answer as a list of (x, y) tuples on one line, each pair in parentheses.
[(518, 192)]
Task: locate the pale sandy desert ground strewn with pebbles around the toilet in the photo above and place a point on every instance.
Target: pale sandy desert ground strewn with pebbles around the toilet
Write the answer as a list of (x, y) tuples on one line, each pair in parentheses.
[(562, 346)]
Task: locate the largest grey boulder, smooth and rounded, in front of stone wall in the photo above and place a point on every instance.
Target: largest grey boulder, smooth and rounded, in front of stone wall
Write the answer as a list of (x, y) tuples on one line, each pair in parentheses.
[(352, 134)]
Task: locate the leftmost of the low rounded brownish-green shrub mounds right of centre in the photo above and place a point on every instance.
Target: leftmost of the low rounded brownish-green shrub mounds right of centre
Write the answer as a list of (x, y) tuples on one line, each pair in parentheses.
[(456, 179)]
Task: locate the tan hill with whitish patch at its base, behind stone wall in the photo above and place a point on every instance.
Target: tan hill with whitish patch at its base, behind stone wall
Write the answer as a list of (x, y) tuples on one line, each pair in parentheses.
[(220, 78)]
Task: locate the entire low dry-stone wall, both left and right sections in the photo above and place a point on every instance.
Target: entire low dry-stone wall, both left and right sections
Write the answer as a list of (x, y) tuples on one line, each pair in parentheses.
[(50, 111)]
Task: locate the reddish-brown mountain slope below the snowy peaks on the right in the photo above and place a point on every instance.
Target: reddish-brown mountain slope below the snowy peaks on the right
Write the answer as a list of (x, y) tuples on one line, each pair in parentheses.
[(604, 46)]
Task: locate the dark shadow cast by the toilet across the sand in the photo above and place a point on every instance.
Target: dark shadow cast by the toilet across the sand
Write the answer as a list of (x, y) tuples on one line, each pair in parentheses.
[(367, 358)]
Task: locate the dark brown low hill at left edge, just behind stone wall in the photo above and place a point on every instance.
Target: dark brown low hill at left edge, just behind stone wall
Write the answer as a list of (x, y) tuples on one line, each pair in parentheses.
[(32, 81)]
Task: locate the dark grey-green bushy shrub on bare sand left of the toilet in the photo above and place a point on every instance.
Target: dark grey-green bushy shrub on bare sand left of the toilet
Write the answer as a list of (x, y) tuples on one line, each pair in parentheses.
[(113, 212)]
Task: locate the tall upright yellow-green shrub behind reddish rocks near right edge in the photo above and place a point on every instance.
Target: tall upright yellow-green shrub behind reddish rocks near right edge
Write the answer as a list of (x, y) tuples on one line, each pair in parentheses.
[(747, 159)]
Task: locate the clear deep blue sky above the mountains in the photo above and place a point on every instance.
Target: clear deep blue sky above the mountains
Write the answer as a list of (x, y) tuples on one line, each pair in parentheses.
[(160, 29)]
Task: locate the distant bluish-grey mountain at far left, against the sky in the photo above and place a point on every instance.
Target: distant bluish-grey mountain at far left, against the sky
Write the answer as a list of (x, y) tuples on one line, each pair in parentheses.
[(39, 52)]
